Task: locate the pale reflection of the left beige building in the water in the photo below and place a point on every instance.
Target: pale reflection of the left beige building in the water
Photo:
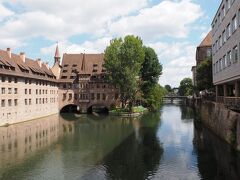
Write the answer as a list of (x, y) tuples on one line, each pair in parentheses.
[(20, 140)]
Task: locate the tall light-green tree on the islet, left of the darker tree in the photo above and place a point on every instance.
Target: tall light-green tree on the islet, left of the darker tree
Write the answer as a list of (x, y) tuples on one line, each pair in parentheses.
[(123, 60)]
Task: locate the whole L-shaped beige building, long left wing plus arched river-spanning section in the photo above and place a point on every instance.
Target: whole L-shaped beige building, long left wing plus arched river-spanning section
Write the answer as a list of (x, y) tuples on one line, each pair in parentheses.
[(29, 89)]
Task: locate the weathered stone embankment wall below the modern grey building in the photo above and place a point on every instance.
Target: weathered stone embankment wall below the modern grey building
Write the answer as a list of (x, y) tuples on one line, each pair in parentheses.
[(222, 121)]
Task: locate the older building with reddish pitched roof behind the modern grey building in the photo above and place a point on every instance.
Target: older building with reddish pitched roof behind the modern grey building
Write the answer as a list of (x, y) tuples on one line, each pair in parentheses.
[(203, 52)]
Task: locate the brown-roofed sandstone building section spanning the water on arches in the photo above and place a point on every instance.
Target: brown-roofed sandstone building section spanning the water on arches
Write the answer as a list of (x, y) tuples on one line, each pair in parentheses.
[(82, 83)]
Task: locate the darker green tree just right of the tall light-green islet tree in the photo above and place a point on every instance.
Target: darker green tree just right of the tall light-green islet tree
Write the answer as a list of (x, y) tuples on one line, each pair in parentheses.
[(150, 71)]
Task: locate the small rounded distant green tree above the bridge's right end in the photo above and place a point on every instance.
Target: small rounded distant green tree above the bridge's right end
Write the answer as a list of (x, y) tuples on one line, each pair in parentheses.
[(186, 87)]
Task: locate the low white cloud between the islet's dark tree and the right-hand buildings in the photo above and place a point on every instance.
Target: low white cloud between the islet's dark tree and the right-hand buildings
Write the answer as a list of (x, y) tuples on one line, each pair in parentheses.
[(177, 60)]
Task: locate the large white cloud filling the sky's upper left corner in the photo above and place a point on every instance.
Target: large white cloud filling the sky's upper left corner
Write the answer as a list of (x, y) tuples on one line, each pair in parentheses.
[(61, 19)]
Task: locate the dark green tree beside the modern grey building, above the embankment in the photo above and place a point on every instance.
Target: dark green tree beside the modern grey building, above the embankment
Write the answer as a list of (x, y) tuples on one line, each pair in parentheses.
[(204, 75)]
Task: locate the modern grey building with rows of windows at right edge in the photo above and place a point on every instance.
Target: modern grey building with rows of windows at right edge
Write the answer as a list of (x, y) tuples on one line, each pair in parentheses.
[(226, 42)]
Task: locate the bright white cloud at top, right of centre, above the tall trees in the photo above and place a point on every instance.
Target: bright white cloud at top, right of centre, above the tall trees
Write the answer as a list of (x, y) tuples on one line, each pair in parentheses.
[(168, 18)]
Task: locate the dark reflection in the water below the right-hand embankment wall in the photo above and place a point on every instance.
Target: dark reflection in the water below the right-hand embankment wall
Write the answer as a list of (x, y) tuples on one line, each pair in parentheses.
[(216, 160)]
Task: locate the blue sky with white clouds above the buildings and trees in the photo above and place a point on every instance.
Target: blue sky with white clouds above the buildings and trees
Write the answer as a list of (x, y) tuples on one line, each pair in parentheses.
[(173, 28)]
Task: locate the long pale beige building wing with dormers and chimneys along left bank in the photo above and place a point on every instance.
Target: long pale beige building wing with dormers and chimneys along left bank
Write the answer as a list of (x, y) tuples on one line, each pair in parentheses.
[(28, 88)]
